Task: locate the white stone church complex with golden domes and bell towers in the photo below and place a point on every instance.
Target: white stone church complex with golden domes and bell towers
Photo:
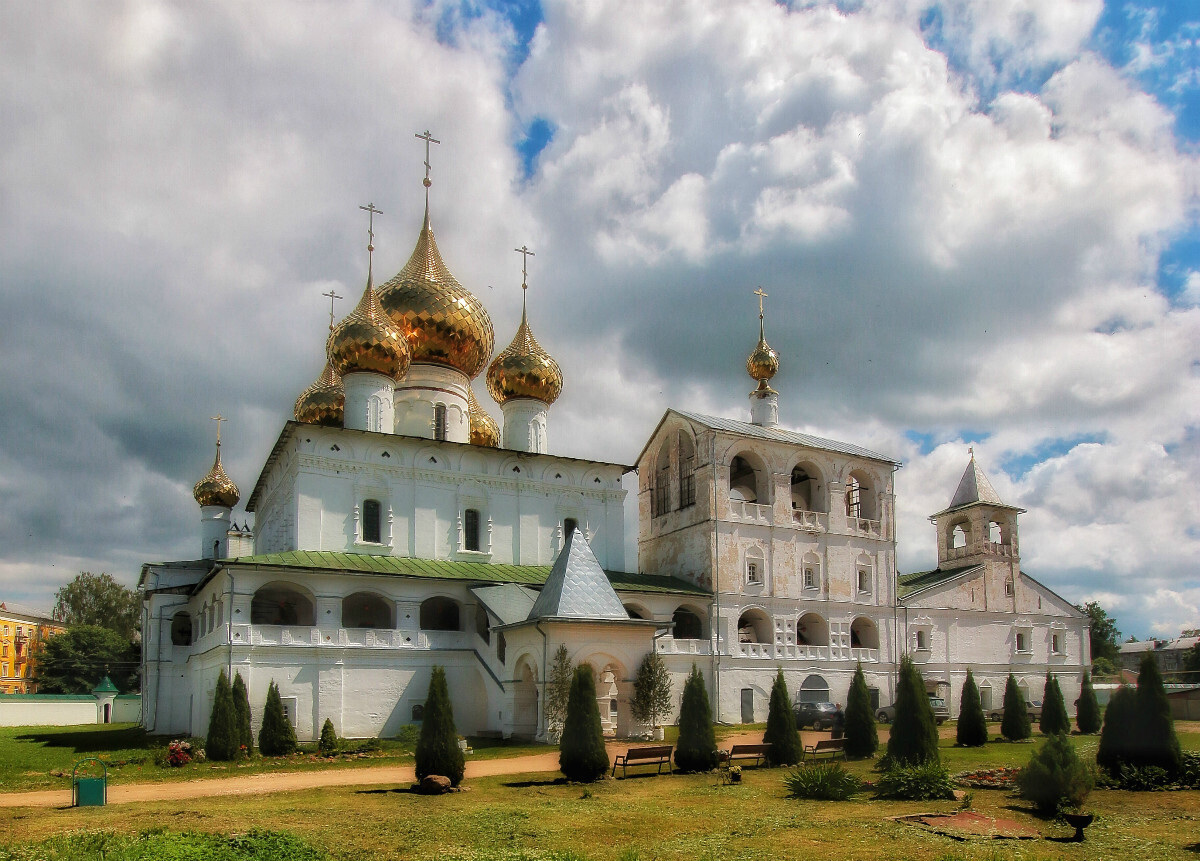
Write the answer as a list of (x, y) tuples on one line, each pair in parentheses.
[(399, 528)]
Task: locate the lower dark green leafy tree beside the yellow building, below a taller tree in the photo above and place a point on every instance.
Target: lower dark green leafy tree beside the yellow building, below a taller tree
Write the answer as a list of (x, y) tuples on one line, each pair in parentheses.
[(76, 660)]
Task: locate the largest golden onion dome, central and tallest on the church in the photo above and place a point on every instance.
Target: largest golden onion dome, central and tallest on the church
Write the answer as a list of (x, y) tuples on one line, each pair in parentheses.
[(445, 323)]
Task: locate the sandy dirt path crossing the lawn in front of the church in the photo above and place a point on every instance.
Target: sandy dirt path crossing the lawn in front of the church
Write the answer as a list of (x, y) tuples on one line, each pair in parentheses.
[(293, 781)]
